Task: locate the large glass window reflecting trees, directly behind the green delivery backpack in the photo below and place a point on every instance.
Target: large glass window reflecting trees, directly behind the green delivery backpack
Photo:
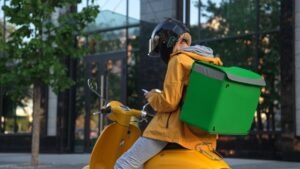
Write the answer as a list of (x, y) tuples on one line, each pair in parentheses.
[(230, 28)]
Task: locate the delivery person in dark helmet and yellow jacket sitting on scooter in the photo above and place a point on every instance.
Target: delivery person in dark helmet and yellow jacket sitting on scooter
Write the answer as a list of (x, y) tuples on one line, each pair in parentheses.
[(171, 41)]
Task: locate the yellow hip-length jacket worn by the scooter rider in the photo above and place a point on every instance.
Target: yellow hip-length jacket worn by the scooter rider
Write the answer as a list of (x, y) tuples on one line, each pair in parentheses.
[(166, 124)]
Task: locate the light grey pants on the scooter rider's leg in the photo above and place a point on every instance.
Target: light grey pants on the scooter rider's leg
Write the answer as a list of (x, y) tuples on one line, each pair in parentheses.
[(141, 151)]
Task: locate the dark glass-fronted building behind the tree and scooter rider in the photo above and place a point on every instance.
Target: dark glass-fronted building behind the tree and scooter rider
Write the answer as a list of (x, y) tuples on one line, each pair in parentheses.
[(260, 35)]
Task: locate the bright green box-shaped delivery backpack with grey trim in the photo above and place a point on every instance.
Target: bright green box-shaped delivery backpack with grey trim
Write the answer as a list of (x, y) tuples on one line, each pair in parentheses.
[(221, 100)]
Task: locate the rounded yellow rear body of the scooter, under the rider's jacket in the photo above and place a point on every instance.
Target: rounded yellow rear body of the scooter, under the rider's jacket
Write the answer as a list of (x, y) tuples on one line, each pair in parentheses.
[(187, 159)]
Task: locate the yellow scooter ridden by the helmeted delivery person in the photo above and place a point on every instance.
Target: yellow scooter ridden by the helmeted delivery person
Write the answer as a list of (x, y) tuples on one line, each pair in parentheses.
[(117, 137)]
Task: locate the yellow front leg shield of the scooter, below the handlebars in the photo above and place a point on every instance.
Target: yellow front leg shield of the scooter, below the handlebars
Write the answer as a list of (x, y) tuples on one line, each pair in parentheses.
[(111, 144)]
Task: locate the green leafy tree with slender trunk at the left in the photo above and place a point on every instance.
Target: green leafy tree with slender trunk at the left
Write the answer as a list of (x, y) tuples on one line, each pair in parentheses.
[(34, 53)]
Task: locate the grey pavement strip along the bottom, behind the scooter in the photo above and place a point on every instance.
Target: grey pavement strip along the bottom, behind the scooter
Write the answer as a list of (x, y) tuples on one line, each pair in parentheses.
[(77, 161)]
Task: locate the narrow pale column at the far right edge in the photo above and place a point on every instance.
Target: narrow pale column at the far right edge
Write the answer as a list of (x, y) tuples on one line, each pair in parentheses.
[(297, 65)]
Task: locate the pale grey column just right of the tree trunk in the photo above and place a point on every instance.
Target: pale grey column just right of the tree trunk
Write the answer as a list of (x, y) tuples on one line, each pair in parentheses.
[(52, 113)]
